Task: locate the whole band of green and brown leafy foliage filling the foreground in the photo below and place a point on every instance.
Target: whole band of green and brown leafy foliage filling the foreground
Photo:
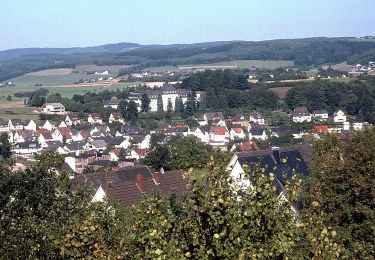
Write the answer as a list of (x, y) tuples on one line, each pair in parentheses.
[(42, 217)]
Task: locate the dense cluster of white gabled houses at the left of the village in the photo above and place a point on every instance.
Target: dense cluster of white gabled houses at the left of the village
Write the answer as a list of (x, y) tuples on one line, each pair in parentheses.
[(84, 145)]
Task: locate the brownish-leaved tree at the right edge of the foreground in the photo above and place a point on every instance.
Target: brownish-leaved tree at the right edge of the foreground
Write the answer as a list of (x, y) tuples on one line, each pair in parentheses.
[(341, 189)]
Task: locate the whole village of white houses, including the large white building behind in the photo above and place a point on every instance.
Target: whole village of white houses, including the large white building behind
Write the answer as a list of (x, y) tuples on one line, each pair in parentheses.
[(97, 145)]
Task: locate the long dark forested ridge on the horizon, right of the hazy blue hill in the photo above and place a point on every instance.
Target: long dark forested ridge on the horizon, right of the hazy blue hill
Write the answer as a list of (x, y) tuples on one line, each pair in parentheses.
[(304, 52)]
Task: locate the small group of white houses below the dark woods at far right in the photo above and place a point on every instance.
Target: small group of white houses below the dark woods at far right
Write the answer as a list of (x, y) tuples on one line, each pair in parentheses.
[(341, 124)]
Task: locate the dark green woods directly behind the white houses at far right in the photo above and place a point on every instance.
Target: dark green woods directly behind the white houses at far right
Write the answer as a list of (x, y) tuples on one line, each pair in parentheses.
[(355, 98)]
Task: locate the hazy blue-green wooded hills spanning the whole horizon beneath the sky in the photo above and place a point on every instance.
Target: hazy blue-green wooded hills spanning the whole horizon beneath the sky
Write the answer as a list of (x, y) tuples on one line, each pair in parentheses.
[(304, 52)]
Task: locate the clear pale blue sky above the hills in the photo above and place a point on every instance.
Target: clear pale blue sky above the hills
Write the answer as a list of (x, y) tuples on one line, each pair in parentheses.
[(67, 23)]
